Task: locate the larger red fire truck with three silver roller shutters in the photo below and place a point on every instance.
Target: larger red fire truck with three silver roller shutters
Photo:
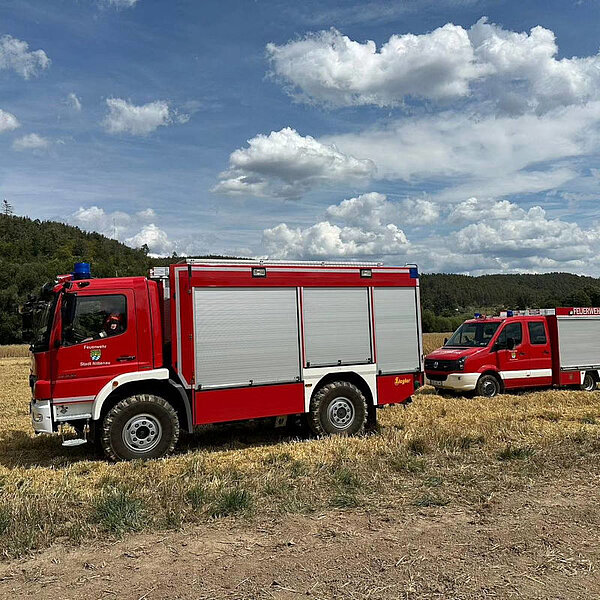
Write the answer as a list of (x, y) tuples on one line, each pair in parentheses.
[(130, 361)]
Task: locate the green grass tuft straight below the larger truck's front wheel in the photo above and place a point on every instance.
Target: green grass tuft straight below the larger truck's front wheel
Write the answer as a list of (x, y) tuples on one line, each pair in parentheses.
[(118, 512)]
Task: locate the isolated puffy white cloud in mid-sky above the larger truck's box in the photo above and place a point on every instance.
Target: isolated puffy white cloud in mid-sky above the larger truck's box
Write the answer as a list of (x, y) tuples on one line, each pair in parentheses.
[(286, 164)]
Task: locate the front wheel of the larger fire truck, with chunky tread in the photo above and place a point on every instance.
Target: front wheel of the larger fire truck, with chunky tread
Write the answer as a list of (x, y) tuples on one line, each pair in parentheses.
[(141, 426)]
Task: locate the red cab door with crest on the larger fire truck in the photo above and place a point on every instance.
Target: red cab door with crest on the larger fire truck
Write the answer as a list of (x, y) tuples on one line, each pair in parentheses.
[(98, 341)]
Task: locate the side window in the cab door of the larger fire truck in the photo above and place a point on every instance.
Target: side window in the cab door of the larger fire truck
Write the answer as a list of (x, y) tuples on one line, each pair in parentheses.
[(89, 318)]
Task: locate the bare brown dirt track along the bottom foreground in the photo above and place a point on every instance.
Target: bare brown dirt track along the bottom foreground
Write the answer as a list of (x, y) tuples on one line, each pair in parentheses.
[(542, 544)]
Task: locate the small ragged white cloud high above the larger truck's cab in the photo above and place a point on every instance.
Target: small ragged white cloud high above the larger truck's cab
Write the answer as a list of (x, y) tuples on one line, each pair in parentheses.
[(125, 117)]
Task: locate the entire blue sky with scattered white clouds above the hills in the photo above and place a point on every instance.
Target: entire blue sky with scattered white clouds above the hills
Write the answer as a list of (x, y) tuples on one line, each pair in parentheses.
[(462, 135)]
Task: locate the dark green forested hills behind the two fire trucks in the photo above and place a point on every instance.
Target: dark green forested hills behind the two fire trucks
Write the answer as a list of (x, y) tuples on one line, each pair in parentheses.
[(33, 252)]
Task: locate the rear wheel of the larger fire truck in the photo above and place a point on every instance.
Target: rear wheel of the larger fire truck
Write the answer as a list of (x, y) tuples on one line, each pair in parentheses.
[(331, 398)]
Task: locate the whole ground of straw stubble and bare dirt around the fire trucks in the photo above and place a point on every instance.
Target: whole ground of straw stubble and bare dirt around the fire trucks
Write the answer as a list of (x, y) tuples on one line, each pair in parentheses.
[(451, 498)]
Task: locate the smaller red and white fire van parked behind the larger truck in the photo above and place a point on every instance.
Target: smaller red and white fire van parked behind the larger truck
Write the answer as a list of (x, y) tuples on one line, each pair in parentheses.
[(520, 349)]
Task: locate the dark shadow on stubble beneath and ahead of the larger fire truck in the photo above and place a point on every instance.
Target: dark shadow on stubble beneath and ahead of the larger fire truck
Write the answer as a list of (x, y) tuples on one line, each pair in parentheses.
[(19, 449)]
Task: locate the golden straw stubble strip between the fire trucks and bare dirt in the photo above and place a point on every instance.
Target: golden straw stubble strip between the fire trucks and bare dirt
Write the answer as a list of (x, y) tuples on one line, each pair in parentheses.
[(436, 452)]
